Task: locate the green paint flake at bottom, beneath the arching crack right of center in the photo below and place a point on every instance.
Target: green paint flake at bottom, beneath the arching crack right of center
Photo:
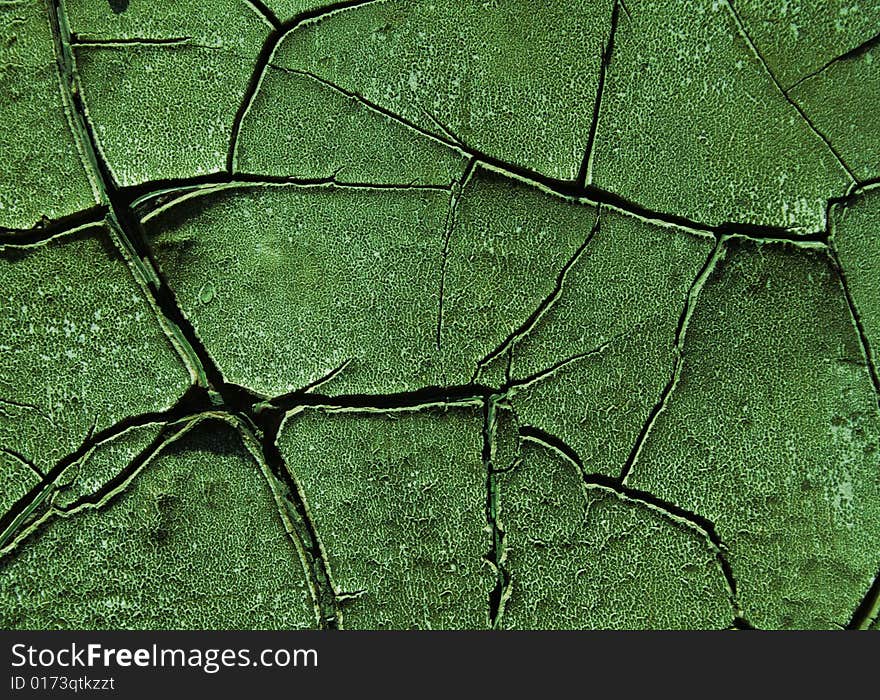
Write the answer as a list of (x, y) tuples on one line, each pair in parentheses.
[(584, 558)]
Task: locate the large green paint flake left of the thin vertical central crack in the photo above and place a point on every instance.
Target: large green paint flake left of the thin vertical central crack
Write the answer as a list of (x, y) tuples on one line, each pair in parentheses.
[(341, 276)]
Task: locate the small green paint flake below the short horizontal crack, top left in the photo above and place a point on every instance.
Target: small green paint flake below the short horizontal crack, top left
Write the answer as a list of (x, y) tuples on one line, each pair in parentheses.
[(162, 112)]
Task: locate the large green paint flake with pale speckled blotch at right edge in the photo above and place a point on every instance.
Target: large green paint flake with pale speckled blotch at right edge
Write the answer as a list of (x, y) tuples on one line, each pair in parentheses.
[(772, 434)]
